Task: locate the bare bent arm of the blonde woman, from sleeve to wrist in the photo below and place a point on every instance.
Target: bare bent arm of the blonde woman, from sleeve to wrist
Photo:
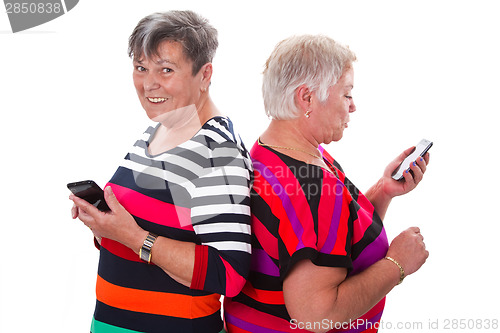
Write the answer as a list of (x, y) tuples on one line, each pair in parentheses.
[(316, 293)]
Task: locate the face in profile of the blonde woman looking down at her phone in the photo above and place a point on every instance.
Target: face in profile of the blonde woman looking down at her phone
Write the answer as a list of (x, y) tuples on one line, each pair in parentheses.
[(332, 116)]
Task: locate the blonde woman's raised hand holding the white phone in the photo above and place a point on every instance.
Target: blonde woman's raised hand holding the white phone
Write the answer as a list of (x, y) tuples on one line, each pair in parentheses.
[(393, 188)]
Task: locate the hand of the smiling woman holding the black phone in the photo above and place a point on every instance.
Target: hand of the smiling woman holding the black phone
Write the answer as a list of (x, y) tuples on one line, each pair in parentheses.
[(117, 224)]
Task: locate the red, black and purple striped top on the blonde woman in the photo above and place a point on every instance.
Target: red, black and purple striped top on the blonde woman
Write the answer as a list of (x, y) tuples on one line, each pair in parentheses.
[(302, 211)]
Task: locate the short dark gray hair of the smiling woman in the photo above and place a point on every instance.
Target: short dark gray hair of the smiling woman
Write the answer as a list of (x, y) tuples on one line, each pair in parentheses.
[(197, 37)]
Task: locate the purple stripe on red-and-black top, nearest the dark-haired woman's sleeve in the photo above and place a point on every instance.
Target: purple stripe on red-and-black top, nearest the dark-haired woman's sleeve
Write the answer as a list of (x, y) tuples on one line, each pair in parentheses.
[(280, 191)]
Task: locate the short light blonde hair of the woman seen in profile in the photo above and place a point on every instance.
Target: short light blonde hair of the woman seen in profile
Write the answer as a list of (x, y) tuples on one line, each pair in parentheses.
[(313, 60)]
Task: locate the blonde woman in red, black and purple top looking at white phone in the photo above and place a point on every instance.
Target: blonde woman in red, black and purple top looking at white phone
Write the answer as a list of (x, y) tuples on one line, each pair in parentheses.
[(320, 255)]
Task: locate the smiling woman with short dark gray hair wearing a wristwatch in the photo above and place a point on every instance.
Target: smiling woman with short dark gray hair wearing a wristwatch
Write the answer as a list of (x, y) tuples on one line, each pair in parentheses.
[(178, 233)]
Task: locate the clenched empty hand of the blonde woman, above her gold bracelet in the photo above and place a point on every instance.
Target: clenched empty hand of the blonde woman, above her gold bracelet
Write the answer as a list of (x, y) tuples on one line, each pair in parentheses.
[(408, 248)]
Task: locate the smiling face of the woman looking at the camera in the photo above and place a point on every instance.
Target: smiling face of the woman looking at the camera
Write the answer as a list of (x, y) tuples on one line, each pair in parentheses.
[(165, 82)]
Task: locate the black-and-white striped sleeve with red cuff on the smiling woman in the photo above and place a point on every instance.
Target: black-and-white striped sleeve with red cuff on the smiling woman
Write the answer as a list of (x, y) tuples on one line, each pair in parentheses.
[(220, 211)]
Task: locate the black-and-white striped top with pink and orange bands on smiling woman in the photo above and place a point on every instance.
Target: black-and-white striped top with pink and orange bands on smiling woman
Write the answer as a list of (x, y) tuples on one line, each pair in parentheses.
[(196, 192)]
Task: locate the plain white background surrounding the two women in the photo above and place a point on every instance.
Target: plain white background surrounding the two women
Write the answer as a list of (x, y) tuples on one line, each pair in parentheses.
[(426, 69)]
